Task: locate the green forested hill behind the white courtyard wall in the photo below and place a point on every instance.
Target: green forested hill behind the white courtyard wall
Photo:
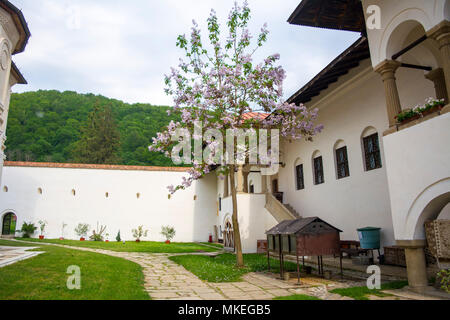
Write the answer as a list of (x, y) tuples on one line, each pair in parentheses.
[(44, 125)]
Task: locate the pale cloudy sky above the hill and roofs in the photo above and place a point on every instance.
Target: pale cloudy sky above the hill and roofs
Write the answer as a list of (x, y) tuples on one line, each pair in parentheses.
[(122, 49)]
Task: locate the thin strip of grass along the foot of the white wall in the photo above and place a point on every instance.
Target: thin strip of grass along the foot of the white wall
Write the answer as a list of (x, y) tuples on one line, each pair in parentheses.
[(132, 246)]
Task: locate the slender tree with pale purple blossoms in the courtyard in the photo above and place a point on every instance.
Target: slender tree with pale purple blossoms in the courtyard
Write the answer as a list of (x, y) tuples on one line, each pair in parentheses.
[(214, 87)]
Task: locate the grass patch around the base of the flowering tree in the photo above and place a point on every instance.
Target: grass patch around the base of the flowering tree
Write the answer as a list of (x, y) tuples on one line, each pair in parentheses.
[(223, 267)]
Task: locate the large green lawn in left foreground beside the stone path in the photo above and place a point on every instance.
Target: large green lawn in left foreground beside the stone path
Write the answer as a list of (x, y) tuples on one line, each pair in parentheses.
[(44, 277)]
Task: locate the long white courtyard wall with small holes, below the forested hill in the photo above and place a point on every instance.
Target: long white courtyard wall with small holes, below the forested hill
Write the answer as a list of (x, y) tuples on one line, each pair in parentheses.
[(121, 210)]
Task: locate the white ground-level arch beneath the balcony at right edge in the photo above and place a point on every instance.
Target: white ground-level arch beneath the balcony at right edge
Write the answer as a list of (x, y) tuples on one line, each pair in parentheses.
[(427, 206)]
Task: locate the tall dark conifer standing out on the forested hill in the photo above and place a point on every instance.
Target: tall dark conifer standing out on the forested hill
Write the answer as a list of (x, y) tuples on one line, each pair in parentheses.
[(100, 139)]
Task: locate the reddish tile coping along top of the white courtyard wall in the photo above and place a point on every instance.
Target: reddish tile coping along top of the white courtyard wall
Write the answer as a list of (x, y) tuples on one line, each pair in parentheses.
[(90, 166)]
